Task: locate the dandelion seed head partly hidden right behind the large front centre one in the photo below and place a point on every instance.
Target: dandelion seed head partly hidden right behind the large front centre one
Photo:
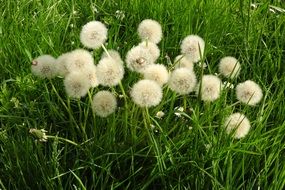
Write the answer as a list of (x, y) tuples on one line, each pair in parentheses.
[(157, 73)]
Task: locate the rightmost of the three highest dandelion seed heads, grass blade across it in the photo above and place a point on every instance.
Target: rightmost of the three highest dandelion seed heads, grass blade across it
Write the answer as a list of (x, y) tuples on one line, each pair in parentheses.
[(193, 47)]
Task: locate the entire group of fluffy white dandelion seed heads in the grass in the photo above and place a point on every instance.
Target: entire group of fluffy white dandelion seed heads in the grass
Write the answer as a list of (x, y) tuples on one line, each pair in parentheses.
[(80, 73)]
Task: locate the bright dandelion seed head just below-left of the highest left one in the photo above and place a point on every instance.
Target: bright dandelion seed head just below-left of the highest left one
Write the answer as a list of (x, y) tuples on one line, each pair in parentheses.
[(79, 60)]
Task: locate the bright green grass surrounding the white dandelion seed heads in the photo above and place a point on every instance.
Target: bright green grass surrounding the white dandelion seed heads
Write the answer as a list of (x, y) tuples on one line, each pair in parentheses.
[(118, 152)]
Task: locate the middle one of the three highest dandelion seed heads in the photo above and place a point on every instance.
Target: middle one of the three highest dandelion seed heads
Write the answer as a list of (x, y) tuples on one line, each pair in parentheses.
[(150, 30)]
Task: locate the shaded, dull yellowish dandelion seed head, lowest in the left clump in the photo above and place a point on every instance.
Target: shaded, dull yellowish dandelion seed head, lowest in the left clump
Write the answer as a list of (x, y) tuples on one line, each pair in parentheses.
[(104, 103)]
